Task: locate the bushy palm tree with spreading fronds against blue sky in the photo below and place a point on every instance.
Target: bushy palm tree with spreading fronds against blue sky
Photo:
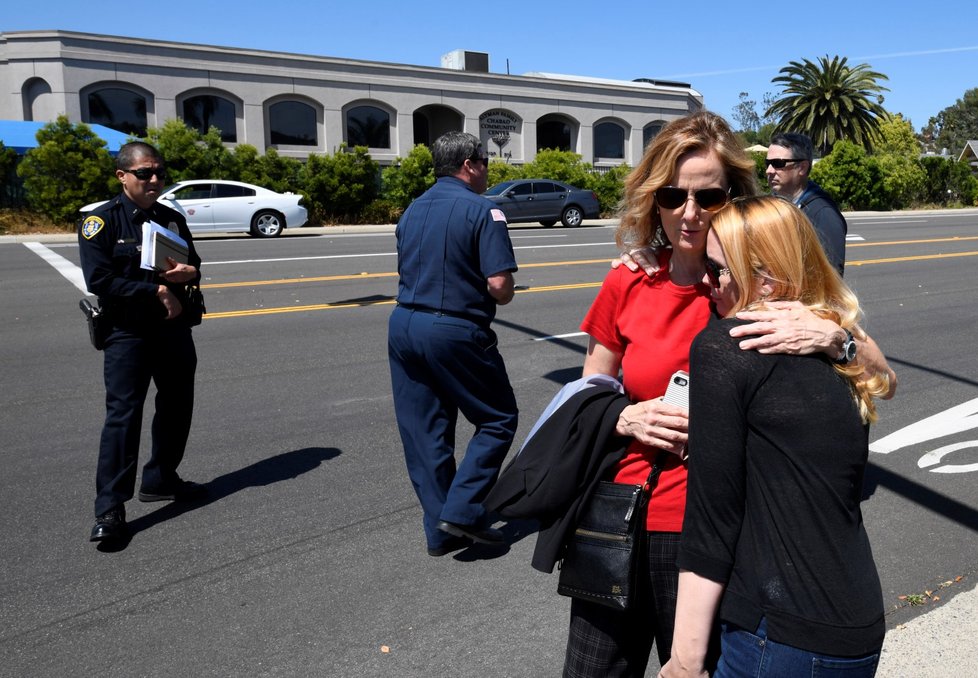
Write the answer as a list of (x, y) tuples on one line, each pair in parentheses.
[(830, 101)]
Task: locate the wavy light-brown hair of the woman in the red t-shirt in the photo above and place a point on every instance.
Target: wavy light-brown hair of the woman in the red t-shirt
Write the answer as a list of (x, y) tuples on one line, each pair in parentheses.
[(641, 224)]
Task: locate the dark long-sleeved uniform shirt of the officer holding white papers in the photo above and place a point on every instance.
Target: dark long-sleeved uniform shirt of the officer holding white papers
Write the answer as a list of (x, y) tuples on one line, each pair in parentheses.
[(110, 246)]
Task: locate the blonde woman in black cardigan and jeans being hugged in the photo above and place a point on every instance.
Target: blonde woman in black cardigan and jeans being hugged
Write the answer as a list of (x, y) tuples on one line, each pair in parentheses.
[(773, 542)]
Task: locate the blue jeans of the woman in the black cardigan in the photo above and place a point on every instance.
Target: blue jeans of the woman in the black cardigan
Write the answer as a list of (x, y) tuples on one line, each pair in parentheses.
[(753, 654)]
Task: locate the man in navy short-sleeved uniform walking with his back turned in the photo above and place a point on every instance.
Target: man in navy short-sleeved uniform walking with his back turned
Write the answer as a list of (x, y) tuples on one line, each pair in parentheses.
[(455, 262)]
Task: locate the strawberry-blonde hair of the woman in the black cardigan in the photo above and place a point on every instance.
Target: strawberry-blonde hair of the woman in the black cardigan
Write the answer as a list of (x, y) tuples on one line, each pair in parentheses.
[(766, 238)]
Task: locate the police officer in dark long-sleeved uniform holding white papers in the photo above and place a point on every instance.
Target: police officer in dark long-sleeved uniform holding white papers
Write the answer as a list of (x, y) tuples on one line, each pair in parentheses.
[(149, 340)]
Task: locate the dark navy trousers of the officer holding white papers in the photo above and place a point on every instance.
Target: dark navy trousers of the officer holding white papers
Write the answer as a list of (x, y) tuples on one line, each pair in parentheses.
[(167, 357)]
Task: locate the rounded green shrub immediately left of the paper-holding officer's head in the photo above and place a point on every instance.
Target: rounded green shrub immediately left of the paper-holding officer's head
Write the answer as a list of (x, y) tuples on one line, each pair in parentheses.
[(69, 167)]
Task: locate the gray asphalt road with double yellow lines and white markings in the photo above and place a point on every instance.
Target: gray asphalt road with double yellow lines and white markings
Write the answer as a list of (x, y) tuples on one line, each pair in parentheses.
[(308, 557)]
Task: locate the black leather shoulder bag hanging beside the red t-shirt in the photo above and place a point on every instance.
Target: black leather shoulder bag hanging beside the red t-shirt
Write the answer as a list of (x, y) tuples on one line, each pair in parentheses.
[(601, 558)]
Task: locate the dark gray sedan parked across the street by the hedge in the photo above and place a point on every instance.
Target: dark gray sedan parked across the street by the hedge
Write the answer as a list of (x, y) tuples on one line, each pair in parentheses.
[(544, 200)]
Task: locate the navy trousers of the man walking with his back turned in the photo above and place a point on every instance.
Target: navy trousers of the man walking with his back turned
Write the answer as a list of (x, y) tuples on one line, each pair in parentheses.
[(441, 366)]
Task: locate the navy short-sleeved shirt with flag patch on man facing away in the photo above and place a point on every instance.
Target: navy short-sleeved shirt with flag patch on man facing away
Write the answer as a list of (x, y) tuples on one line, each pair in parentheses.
[(449, 242)]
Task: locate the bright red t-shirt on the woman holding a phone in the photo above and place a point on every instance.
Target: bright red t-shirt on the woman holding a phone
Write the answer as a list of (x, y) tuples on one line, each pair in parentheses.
[(652, 323)]
